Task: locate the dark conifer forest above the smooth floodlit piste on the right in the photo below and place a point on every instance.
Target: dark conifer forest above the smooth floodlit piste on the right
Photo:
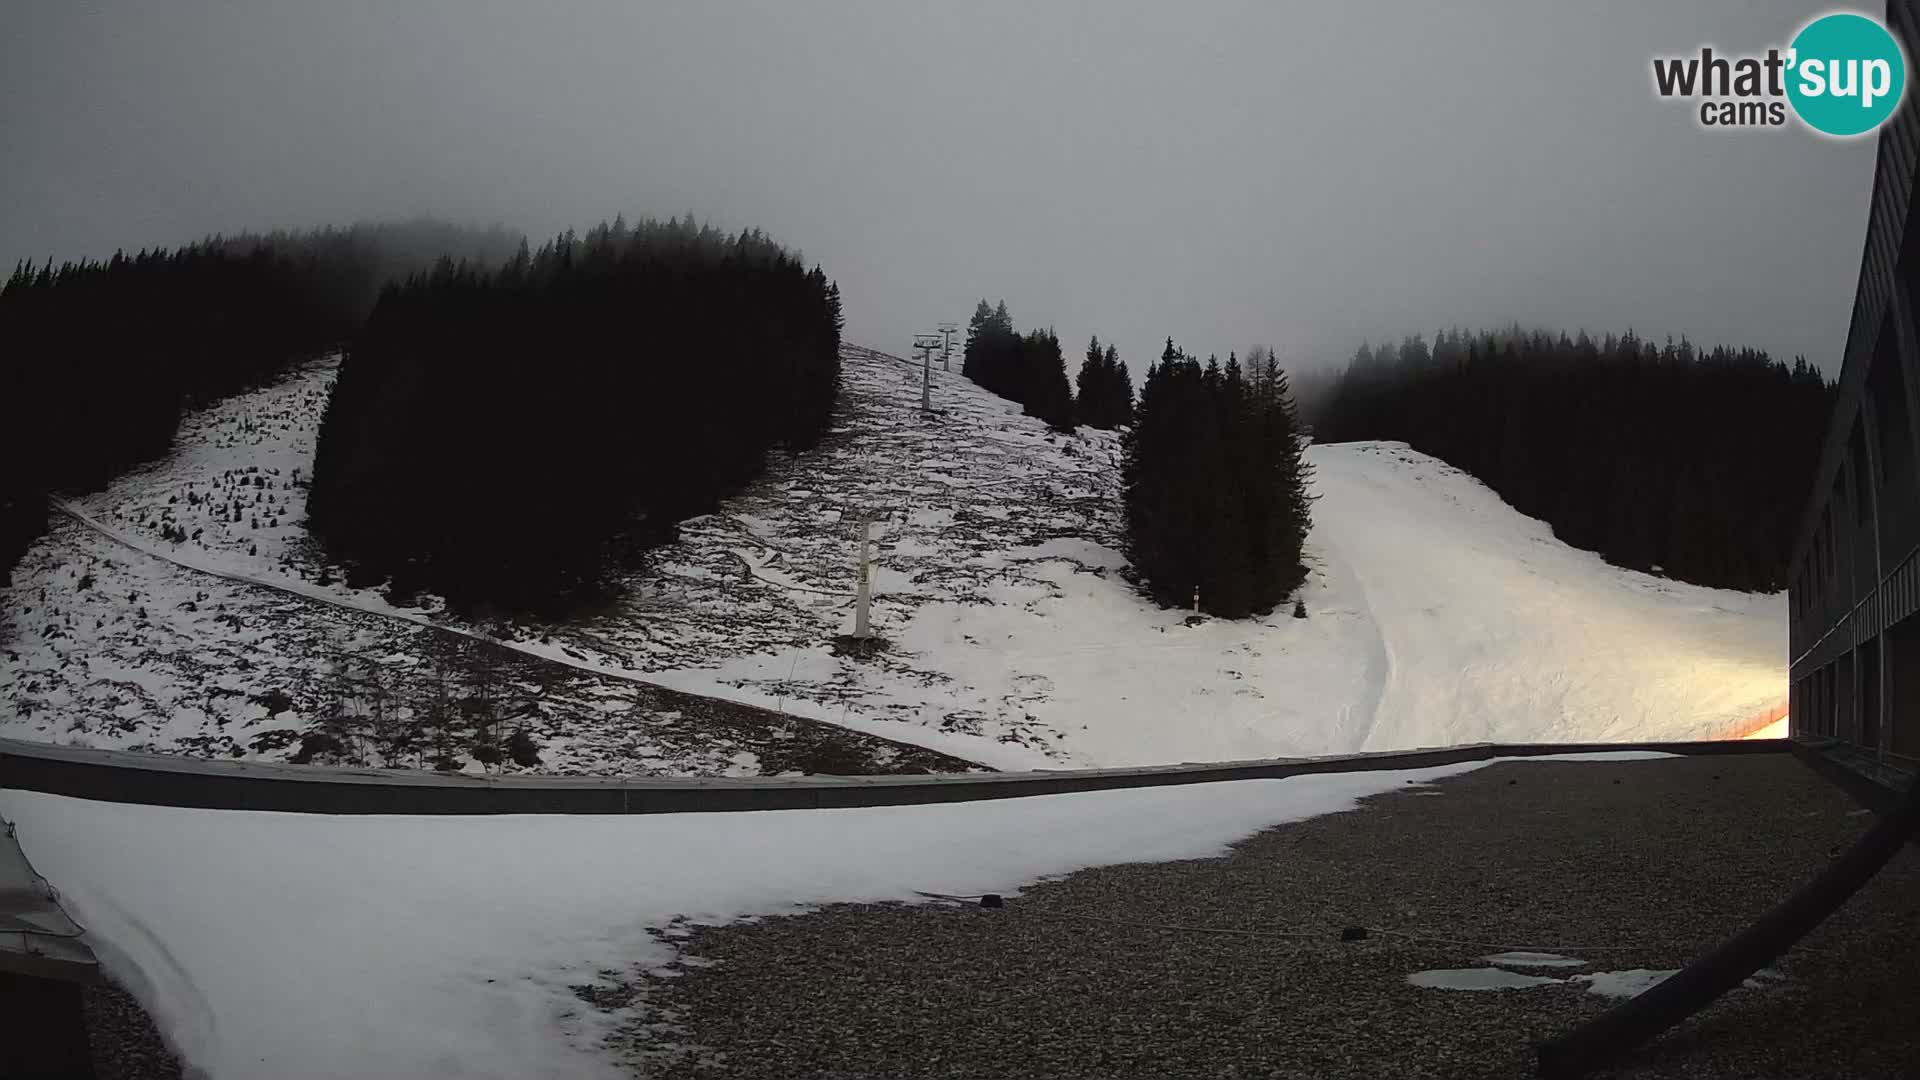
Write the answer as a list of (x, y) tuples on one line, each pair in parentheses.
[(1656, 456)]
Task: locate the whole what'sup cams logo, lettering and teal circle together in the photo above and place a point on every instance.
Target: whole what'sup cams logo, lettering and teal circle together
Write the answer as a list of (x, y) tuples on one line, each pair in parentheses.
[(1842, 76)]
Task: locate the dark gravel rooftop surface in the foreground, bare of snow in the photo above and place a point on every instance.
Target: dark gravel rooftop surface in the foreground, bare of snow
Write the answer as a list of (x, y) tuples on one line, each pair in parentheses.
[(1623, 866)]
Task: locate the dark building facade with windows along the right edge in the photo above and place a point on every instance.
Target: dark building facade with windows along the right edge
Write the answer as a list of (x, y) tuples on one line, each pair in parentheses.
[(1856, 574)]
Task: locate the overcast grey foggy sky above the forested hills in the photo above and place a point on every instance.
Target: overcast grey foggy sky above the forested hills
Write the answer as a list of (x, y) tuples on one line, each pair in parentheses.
[(1226, 174)]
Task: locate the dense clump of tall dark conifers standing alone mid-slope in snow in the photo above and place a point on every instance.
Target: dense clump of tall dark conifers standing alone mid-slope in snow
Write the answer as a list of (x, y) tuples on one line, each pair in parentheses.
[(1216, 487)]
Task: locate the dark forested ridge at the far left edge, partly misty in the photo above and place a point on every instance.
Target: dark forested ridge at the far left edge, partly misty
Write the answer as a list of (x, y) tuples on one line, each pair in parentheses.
[(101, 358)]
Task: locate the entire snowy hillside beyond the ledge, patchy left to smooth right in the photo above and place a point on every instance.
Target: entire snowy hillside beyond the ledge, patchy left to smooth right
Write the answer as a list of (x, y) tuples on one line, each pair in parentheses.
[(1437, 614)]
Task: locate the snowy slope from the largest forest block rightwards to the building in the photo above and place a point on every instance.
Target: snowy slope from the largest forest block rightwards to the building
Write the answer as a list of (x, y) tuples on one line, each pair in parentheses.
[(1437, 614)]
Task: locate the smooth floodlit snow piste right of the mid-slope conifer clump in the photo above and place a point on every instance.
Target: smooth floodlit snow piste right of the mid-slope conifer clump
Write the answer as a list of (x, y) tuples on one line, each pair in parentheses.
[(1495, 631)]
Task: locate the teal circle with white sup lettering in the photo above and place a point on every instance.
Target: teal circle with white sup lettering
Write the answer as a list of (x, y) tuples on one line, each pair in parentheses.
[(1846, 74)]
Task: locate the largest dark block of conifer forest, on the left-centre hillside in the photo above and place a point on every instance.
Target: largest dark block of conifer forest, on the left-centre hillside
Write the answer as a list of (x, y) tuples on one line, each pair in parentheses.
[(508, 437)]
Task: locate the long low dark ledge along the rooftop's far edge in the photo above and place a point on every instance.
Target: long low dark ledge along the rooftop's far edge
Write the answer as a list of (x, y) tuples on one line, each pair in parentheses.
[(158, 779)]
